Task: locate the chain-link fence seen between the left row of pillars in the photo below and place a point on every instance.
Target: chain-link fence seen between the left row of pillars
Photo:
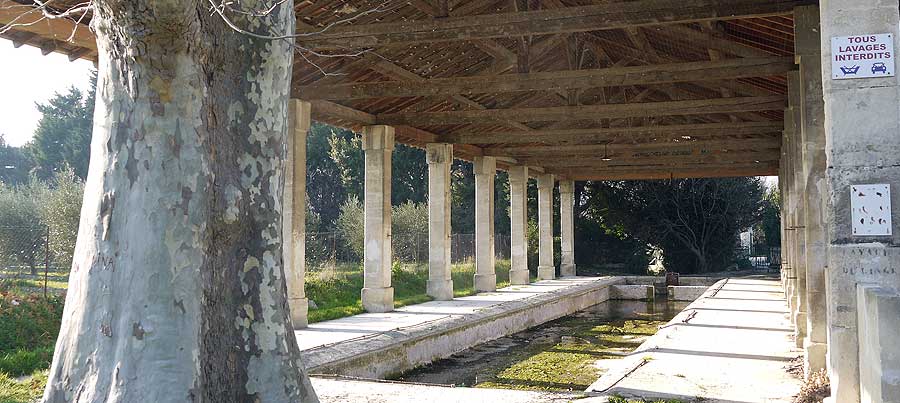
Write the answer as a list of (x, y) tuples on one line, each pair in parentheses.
[(334, 250)]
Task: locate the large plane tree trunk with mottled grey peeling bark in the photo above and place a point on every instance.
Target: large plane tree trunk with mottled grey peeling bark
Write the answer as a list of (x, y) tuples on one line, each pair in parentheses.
[(177, 291)]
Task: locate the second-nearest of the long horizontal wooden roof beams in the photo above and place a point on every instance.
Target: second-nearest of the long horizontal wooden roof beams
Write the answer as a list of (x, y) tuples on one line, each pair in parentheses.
[(726, 69)]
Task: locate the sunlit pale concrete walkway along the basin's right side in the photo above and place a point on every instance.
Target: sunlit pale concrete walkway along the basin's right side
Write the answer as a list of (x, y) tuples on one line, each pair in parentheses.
[(731, 345)]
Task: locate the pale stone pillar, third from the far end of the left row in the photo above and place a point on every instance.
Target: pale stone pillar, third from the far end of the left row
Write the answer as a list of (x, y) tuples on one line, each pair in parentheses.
[(518, 225)]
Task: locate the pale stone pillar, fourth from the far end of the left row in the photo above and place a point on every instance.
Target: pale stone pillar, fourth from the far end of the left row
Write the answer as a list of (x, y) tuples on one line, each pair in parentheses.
[(485, 273)]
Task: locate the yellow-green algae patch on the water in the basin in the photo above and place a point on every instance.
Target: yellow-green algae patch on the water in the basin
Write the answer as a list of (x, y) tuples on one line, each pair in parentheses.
[(569, 364)]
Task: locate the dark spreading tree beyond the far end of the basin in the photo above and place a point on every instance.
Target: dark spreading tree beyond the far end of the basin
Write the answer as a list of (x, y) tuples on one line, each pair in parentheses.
[(694, 221)]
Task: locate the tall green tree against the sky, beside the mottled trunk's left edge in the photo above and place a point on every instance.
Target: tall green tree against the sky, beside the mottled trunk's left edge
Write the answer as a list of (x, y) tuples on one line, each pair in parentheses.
[(63, 135)]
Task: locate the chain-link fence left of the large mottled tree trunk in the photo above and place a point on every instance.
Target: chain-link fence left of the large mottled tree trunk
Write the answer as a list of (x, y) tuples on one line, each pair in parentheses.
[(31, 260)]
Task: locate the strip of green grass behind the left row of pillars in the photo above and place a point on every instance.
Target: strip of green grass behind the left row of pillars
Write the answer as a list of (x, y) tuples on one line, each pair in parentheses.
[(337, 293)]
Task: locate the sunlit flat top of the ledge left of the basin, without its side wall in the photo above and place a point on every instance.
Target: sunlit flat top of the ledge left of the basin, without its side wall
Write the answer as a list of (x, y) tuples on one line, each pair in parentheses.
[(371, 324)]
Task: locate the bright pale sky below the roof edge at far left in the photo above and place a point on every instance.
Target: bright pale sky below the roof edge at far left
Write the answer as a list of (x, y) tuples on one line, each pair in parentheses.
[(27, 77)]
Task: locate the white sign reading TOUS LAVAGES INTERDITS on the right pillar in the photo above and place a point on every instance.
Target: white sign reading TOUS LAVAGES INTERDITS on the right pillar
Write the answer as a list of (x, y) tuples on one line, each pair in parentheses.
[(862, 56)]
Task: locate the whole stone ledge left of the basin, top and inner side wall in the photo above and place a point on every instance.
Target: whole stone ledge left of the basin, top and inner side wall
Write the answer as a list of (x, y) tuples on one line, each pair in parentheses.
[(377, 345)]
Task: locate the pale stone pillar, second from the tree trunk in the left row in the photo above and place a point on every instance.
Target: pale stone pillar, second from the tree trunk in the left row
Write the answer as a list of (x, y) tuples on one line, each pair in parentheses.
[(377, 293)]
